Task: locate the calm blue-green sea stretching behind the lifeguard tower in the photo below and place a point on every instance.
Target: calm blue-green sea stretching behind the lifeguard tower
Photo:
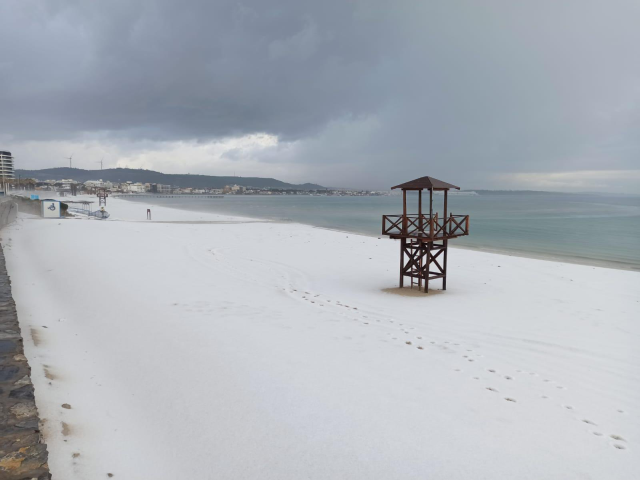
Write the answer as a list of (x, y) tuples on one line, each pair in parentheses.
[(590, 229)]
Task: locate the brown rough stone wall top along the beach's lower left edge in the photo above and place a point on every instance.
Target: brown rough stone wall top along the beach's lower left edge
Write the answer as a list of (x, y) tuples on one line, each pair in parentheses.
[(23, 455)]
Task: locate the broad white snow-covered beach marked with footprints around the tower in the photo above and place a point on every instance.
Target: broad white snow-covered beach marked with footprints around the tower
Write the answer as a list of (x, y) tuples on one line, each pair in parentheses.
[(271, 351)]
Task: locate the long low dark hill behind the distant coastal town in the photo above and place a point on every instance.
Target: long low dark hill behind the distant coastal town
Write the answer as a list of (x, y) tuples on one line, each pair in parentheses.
[(119, 175)]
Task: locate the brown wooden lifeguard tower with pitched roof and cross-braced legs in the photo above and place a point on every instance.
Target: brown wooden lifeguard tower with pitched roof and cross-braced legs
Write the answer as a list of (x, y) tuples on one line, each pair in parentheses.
[(424, 238)]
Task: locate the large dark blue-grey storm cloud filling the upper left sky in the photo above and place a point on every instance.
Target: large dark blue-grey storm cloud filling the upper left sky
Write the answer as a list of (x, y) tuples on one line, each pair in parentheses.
[(184, 69)]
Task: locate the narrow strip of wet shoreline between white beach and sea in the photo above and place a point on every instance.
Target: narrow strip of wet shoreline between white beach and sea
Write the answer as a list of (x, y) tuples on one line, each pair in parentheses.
[(570, 259)]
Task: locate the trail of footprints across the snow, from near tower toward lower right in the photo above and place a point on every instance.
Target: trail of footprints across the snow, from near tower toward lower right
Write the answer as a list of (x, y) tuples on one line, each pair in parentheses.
[(420, 342)]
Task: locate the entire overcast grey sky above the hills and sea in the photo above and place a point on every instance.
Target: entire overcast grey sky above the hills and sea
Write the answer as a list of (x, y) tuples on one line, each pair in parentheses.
[(484, 94)]
